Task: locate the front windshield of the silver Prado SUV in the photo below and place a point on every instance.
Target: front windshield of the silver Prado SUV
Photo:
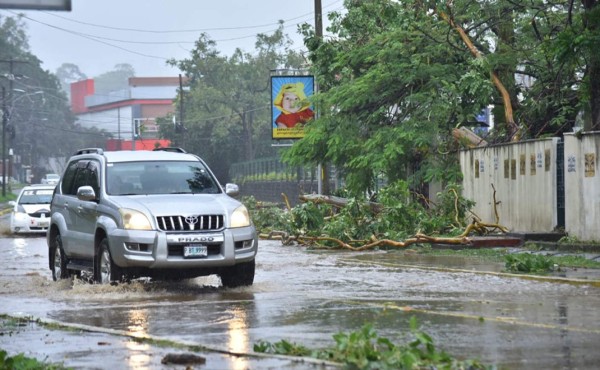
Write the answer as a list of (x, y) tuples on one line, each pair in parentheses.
[(159, 177)]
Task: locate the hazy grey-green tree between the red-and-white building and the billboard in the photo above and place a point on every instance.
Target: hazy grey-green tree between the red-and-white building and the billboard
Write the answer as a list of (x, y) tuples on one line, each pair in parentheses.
[(227, 106)]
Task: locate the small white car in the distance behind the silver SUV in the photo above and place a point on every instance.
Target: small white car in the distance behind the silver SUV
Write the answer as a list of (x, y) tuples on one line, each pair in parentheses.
[(31, 210)]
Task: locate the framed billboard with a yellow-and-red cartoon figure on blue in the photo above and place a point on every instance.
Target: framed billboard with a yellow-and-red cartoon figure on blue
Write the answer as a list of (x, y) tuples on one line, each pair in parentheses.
[(290, 105)]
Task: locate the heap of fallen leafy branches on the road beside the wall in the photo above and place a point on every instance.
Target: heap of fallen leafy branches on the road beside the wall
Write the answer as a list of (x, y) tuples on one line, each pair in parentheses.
[(398, 214)]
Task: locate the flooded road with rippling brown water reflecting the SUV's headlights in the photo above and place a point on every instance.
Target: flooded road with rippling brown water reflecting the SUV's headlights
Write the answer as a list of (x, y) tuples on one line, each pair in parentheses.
[(307, 296)]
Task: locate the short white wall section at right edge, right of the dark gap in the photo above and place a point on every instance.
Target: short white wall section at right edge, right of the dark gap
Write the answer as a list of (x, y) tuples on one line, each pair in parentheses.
[(582, 186)]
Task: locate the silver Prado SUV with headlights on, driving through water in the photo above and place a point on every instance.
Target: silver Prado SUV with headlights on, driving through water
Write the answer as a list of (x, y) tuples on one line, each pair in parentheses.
[(160, 214)]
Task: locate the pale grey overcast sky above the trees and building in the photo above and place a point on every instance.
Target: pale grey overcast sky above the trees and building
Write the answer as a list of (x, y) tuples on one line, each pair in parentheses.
[(98, 34)]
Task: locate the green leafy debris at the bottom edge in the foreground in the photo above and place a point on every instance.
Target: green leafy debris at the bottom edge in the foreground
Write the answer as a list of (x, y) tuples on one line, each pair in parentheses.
[(365, 349)]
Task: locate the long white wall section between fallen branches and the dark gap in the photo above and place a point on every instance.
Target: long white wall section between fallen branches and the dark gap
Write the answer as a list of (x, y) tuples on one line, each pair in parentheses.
[(524, 176)]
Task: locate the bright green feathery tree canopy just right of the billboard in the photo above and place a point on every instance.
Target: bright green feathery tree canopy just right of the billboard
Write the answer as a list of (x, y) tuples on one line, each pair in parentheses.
[(394, 90)]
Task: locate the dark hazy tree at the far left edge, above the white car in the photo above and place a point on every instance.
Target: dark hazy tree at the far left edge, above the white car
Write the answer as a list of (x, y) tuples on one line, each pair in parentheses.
[(40, 123)]
